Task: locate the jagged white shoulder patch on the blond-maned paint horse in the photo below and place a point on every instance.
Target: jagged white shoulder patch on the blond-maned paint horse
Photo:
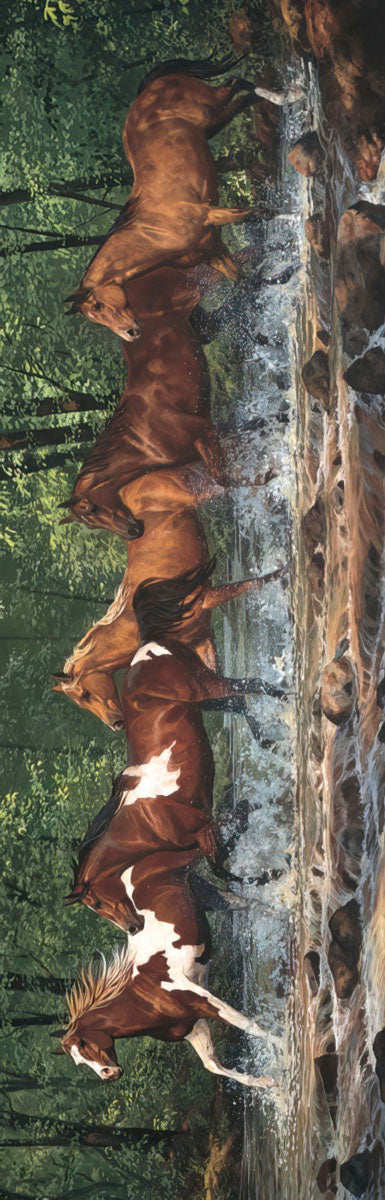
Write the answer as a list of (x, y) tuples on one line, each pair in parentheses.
[(160, 937)]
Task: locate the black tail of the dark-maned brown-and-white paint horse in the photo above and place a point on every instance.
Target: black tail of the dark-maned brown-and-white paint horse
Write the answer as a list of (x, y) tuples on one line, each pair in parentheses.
[(163, 605)]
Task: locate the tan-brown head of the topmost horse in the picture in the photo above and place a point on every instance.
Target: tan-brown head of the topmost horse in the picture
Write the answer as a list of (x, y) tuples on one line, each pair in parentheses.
[(106, 305)]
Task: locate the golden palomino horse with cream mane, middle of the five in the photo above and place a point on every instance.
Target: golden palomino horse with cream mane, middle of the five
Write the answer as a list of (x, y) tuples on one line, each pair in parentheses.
[(171, 543)]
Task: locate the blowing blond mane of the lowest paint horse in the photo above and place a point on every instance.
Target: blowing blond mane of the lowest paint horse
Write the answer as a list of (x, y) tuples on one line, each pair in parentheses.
[(100, 983)]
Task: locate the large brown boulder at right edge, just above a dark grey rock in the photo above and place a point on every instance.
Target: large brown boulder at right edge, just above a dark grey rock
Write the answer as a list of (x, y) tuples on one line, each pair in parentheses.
[(360, 275)]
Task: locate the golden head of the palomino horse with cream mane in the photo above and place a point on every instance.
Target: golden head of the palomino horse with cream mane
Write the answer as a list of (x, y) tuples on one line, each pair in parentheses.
[(94, 692)]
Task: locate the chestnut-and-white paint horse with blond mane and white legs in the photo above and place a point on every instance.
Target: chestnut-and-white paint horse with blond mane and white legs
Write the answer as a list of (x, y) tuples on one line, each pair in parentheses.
[(154, 987)]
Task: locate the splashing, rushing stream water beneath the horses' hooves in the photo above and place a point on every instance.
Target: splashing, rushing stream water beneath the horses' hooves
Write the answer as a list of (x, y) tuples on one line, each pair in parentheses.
[(315, 791)]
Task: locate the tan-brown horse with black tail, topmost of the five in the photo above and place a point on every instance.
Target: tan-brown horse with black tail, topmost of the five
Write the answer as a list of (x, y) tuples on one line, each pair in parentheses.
[(172, 215)]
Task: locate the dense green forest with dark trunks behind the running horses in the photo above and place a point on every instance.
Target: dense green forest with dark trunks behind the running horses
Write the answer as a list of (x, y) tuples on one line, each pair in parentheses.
[(70, 73)]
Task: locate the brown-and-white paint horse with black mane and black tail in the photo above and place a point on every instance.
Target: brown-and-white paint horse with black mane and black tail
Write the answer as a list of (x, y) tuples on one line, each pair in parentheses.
[(160, 809)]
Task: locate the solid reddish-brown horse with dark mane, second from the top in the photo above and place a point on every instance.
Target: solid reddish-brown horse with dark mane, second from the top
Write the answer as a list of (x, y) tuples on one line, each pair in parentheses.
[(163, 421)]
